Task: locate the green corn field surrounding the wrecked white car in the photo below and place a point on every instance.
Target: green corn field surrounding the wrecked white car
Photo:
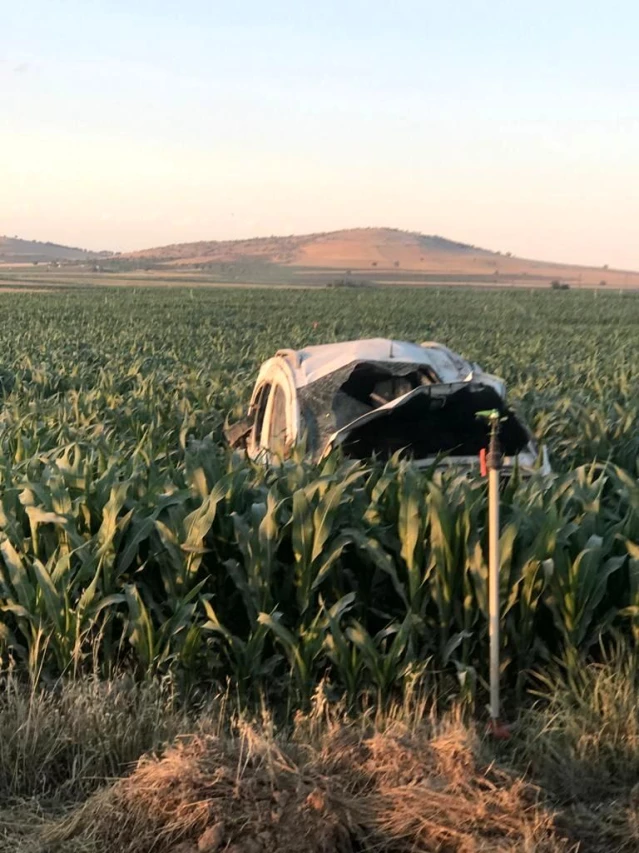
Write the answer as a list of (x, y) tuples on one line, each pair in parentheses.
[(131, 538)]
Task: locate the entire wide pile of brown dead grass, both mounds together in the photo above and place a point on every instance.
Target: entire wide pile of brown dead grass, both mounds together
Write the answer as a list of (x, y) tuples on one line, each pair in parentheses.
[(388, 791)]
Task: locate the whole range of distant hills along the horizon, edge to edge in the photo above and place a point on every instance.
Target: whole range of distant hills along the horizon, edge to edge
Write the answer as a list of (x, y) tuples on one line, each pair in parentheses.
[(352, 257)]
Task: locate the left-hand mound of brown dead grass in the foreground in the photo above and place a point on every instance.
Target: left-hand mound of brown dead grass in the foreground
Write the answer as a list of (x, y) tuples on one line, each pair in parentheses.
[(209, 794)]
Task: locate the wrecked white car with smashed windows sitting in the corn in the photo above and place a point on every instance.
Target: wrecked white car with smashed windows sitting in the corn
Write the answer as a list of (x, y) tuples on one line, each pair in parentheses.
[(378, 397)]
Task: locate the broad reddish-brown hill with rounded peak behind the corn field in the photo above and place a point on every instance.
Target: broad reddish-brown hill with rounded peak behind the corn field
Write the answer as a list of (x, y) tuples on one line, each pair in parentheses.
[(384, 255)]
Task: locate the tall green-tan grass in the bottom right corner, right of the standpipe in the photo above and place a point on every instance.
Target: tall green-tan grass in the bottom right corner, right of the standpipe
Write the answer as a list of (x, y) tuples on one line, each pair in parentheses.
[(581, 745)]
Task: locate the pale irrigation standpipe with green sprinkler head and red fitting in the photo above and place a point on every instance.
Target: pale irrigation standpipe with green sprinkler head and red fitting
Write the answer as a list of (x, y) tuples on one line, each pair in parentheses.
[(493, 460)]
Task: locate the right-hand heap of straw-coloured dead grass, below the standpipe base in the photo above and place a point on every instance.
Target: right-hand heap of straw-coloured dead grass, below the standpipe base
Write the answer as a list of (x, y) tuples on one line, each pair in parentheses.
[(430, 791)]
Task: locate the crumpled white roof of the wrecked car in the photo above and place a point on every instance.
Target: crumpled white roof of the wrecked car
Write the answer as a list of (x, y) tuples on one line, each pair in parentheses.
[(314, 362)]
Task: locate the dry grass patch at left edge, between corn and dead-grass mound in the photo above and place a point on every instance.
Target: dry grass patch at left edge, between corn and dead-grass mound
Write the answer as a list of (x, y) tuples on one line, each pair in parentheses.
[(60, 744)]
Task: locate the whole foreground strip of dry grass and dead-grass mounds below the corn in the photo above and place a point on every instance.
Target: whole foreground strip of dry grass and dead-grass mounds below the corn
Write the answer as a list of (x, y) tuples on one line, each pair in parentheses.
[(87, 769)]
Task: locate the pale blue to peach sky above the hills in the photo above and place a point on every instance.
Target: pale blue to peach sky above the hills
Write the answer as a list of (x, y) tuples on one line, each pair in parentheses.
[(512, 125)]
